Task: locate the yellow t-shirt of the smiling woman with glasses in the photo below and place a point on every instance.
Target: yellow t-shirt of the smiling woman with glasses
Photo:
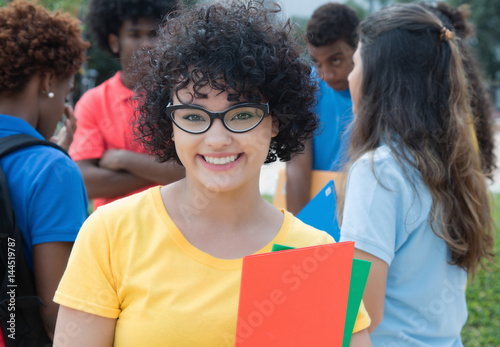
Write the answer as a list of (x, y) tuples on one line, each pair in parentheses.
[(131, 262)]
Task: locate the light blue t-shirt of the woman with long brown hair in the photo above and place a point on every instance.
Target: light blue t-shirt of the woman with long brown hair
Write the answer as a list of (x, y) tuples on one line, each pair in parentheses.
[(425, 295)]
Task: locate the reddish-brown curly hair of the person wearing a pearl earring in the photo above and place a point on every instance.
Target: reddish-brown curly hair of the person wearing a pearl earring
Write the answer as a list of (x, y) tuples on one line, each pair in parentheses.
[(33, 40)]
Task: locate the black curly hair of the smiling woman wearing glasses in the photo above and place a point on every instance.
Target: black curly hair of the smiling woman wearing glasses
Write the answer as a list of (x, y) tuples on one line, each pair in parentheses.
[(244, 49)]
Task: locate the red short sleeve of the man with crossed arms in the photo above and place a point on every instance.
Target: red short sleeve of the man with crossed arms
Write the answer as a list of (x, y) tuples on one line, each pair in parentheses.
[(88, 141)]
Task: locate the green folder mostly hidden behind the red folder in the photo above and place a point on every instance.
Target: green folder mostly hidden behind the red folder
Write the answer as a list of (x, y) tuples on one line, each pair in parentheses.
[(359, 275)]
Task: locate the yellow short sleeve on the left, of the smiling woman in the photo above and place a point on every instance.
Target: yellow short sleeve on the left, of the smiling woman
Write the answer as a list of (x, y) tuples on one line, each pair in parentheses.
[(88, 284)]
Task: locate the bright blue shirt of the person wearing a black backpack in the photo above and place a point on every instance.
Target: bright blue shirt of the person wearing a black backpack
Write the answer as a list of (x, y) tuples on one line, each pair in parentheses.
[(46, 190)]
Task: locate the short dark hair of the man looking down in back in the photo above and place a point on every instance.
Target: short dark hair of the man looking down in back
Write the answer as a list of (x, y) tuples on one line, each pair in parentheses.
[(330, 23)]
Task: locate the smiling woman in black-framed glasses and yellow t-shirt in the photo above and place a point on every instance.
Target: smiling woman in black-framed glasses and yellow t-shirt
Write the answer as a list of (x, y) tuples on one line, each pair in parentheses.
[(228, 91)]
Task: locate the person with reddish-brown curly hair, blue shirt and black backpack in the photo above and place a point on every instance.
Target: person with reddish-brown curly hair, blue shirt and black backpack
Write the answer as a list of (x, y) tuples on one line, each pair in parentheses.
[(41, 52)]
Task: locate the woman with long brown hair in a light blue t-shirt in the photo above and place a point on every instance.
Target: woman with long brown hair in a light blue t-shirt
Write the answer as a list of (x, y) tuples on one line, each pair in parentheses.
[(416, 200)]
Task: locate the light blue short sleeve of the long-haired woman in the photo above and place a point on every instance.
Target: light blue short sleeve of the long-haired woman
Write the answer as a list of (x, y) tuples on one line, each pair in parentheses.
[(373, 208)]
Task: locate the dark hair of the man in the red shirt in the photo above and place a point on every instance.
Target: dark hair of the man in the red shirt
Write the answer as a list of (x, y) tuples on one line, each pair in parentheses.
[(107, 16)]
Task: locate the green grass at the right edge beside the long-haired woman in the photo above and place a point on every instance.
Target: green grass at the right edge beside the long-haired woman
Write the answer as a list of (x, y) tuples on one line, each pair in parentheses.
[(483, 298)]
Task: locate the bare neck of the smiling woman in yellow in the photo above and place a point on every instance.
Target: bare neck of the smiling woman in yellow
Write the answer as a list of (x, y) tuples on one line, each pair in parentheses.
[(227, 225)]
